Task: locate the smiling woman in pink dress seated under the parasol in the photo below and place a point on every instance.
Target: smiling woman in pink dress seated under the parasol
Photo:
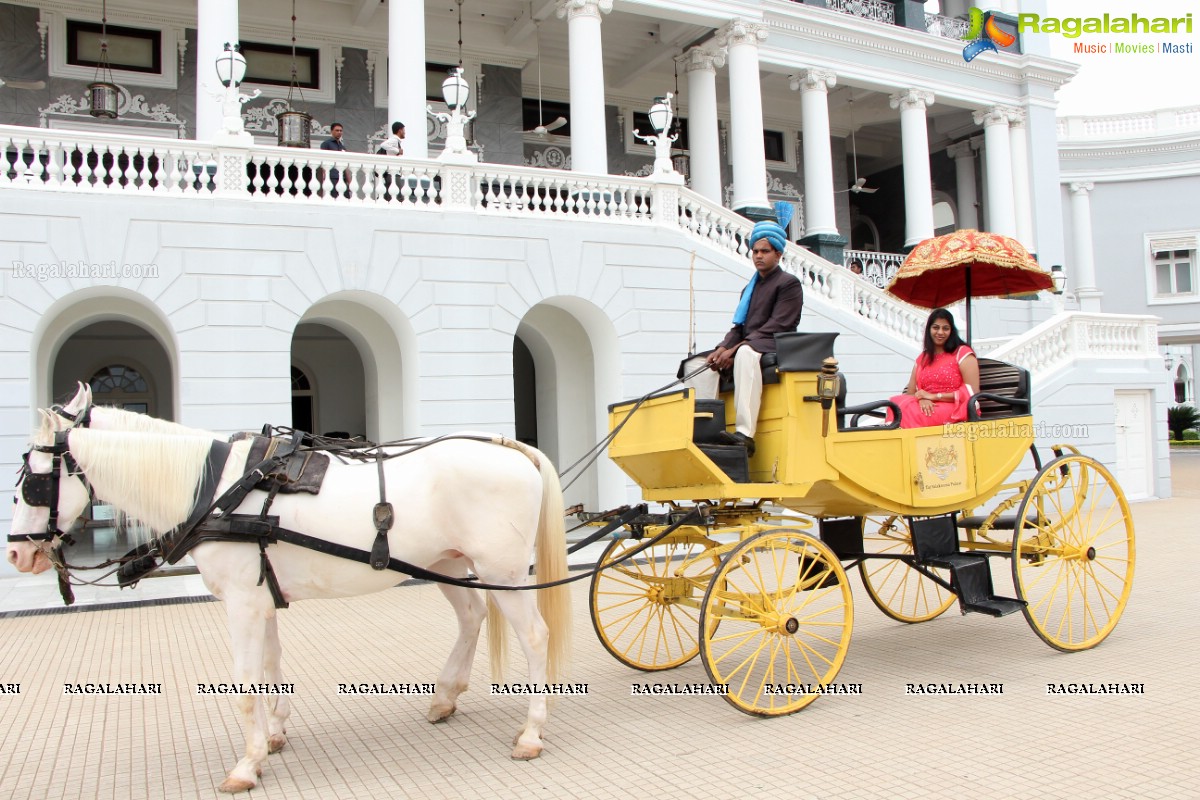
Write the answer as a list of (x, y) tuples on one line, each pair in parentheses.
[(944, 380)]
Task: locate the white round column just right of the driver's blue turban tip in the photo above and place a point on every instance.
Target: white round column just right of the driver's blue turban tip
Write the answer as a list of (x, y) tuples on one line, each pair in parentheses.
[(819, 208)]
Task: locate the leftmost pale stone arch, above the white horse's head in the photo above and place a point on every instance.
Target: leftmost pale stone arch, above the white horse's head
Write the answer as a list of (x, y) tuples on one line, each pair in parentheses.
[(113, 312)]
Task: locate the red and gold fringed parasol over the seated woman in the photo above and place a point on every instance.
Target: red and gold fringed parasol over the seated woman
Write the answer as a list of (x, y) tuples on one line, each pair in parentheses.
[(968, 264)]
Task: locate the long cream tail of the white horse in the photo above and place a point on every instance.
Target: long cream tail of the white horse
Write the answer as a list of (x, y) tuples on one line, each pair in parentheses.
[(550, 566)]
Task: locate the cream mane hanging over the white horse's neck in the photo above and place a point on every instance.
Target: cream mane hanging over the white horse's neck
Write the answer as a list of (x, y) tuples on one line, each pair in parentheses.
[(152, 478)]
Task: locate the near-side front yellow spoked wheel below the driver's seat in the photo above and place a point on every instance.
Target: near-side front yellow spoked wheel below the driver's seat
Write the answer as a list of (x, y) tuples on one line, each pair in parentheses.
[(784, 606)]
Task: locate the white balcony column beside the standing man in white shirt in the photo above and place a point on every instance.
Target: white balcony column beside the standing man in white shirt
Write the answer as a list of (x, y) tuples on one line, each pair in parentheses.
[(406, 74)]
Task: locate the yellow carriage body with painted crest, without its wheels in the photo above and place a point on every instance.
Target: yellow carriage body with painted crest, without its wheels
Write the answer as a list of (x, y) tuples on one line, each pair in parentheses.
[(807, 464)]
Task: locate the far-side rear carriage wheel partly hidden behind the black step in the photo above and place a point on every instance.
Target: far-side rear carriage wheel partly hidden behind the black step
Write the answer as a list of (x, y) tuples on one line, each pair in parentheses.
[(897, 590)]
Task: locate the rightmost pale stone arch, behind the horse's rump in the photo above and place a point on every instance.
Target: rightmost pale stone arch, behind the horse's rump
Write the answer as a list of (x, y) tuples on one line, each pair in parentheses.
[(577, 359)]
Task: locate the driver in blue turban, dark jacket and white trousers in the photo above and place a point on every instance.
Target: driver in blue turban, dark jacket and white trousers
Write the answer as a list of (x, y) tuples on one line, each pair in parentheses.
[(771, 304)]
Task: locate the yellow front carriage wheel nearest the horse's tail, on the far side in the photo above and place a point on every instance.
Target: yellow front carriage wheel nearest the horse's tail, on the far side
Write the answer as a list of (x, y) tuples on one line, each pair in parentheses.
[(645, 610)]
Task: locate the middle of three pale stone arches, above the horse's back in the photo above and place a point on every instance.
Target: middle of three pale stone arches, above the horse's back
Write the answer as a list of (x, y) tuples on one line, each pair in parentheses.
[(387, 345)]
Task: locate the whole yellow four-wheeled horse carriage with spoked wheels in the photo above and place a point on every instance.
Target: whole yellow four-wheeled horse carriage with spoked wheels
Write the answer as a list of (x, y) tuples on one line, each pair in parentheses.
[(757, 584)]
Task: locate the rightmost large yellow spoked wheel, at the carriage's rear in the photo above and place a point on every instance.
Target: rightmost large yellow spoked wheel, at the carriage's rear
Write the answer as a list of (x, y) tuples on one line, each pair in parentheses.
[(1073, 554)]
